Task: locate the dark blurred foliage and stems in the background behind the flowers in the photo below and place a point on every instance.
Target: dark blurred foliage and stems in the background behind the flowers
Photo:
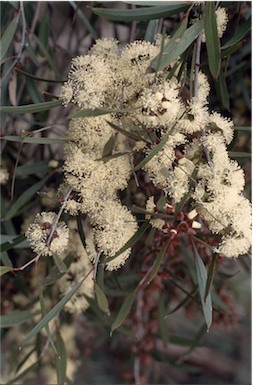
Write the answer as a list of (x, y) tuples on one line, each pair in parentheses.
[(36, 53)]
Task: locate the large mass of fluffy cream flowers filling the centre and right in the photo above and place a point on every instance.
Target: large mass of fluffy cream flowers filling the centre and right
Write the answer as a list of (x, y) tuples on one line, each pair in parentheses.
[(186, 144)]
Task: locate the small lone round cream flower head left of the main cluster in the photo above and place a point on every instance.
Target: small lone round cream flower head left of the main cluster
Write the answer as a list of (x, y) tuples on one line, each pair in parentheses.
[(39, 234)]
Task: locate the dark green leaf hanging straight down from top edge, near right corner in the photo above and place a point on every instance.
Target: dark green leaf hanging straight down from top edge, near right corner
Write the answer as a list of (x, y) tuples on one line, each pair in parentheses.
[(212, 39)]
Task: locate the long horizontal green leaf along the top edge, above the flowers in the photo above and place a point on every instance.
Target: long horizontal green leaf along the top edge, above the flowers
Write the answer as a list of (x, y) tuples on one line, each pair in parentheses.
[(140, 14)]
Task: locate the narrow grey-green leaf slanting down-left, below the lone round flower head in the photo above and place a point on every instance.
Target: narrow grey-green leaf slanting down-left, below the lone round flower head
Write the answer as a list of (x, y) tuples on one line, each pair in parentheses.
[(53, 312)]
